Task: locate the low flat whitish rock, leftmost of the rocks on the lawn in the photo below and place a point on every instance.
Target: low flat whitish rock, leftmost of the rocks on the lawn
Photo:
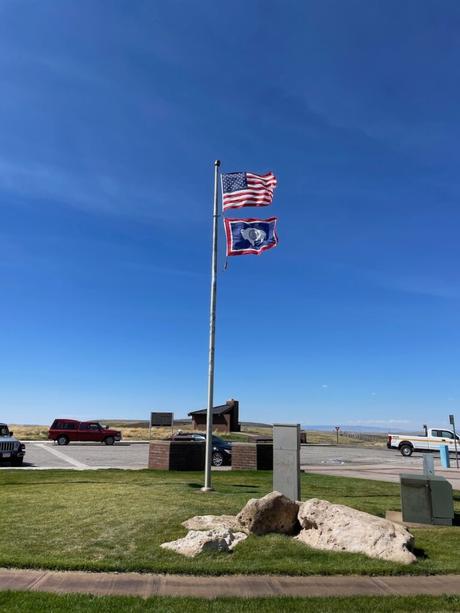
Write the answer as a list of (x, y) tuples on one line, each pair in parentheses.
[(197, 541)]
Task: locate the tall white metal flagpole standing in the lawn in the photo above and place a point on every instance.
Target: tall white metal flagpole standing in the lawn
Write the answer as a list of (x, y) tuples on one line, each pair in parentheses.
[(212, 336)]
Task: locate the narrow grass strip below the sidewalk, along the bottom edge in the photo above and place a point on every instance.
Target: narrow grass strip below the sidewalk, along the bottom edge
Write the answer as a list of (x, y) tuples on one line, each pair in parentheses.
[(18, 602)]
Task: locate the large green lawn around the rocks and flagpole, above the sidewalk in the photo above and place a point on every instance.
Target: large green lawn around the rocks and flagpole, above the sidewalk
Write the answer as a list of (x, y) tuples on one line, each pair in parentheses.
[(116, 520)]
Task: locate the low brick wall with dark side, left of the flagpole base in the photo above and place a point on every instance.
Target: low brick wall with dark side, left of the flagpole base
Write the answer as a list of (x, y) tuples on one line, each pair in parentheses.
[(176, 455)]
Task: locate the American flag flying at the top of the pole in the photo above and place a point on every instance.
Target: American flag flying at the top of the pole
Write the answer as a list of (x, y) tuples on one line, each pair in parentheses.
[(247, 189)]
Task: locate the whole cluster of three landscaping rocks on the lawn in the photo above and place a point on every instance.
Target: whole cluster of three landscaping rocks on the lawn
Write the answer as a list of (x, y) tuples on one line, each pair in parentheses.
[(316, 523)]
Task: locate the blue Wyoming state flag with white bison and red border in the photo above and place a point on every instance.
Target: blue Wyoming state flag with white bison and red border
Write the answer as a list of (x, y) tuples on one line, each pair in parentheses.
[(250, 236)]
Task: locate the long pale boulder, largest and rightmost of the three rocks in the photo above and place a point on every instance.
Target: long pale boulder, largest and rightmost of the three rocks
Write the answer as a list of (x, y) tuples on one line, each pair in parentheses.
[(340, 528)]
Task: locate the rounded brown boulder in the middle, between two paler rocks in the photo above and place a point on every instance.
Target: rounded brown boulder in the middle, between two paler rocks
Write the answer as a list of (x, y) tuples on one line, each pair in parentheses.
[(272, 513)]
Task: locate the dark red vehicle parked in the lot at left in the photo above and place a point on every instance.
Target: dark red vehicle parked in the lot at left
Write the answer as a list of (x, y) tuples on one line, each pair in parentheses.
[(63, 431)]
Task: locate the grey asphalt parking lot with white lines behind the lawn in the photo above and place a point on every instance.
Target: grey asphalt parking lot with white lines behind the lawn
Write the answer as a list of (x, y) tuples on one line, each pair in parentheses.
[(362, 462)]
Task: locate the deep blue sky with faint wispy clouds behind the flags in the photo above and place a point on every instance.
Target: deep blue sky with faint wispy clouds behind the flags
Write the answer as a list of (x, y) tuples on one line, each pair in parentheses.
[(111, 115)]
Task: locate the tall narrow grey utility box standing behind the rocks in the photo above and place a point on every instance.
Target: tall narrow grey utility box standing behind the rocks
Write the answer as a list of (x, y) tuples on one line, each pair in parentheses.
[(286, 460)]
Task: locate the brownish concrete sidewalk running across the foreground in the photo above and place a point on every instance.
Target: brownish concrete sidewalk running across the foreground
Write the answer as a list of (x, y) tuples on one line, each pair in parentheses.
[(246, 586)]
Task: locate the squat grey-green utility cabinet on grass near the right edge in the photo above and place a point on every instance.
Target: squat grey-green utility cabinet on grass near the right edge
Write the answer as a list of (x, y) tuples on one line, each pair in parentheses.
[(426, 499)]
